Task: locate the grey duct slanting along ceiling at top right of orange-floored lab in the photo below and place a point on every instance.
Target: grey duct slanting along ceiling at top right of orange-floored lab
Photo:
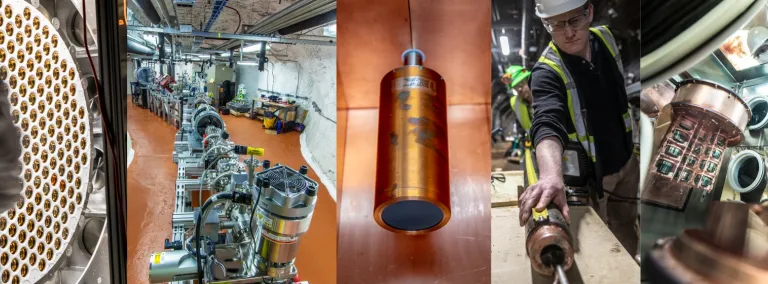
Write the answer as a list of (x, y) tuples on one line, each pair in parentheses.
[(296, 13)]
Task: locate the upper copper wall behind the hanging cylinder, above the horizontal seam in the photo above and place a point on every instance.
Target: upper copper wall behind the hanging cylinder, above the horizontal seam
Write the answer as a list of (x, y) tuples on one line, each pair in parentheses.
[(373, 35)]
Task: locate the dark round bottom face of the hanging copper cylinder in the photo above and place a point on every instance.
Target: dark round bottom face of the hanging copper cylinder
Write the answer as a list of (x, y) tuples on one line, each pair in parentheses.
[(412, 215)]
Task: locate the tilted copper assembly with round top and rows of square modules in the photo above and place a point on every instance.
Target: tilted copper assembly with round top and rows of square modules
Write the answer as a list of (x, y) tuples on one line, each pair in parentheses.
[(706, 118)]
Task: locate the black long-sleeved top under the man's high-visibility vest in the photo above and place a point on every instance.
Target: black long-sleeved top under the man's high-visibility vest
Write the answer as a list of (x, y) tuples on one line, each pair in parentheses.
[(600, 85)]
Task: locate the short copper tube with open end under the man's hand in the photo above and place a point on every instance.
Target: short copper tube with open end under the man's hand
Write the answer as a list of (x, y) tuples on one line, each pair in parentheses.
[(548, 241)]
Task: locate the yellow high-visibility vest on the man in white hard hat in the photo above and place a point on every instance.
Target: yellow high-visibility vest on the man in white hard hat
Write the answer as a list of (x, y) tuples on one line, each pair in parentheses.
[(551, 57)]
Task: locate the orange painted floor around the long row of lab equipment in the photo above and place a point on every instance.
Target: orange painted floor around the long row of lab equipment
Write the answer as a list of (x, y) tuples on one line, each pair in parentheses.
[(151, 181)]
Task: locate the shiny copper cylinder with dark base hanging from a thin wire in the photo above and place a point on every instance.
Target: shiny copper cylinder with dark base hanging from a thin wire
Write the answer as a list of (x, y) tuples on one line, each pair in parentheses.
[(412, 173)]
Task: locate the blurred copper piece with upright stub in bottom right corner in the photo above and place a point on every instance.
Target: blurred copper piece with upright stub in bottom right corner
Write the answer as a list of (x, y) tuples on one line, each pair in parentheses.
[(722, 252)]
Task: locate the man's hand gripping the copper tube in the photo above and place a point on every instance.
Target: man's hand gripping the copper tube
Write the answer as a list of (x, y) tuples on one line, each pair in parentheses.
[(539, 196)]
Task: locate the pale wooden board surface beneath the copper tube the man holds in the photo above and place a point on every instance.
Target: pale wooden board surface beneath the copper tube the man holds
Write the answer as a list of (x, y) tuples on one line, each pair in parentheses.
[(599, 257)]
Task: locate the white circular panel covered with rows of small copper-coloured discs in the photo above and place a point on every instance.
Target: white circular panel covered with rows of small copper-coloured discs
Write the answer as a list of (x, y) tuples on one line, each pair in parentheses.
[(49, 106)]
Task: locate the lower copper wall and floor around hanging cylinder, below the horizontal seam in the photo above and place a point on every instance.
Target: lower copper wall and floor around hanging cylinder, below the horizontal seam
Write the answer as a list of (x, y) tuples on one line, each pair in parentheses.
[(457, 253)]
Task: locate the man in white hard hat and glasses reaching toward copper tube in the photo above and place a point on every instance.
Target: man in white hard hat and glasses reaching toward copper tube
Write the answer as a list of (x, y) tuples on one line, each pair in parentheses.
[(581, 107)]
